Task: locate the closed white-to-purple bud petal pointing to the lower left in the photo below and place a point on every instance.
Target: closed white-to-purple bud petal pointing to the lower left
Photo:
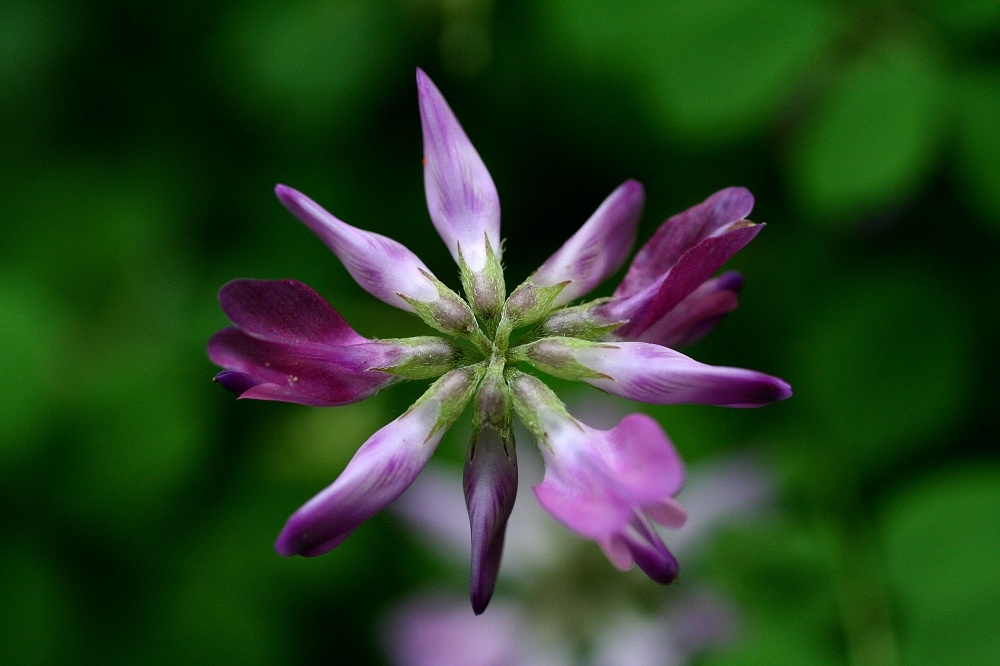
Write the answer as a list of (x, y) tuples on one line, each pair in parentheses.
[(377, 474)]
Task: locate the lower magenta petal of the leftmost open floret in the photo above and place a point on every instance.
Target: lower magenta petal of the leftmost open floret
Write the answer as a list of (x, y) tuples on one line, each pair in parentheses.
[(304, 373)]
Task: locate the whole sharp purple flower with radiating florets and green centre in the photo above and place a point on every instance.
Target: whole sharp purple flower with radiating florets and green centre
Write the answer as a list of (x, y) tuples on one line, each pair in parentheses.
[(288, 344)]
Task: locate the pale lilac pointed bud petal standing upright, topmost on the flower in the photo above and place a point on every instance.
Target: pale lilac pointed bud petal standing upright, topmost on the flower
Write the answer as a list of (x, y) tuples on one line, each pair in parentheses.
[(461, 196)]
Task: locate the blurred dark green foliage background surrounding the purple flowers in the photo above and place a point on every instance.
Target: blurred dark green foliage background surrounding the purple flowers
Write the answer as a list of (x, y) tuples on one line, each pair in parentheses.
[(141, 143)]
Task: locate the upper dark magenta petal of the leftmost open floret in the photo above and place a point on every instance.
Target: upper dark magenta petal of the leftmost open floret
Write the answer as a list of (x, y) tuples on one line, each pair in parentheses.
[(284, 311)]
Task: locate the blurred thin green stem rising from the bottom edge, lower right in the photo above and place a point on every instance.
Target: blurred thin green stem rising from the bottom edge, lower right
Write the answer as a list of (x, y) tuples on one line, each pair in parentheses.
[(865, 610)]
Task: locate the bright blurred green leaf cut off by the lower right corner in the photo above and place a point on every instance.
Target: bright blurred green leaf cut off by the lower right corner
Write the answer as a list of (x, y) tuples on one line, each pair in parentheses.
[(941, 539)]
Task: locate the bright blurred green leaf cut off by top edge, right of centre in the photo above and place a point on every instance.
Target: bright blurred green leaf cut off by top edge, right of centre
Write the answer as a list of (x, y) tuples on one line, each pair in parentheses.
[(723, 69)]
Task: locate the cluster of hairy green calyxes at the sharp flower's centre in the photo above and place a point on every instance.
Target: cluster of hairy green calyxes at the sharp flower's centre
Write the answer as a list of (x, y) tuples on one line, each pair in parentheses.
[(483, 370)]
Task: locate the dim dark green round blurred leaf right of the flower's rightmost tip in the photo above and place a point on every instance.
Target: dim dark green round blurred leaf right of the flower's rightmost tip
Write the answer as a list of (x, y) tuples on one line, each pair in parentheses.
[(882, 367)]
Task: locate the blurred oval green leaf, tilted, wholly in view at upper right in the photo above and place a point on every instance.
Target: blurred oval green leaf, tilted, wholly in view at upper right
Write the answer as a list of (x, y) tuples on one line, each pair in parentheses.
[(873, 138)]
